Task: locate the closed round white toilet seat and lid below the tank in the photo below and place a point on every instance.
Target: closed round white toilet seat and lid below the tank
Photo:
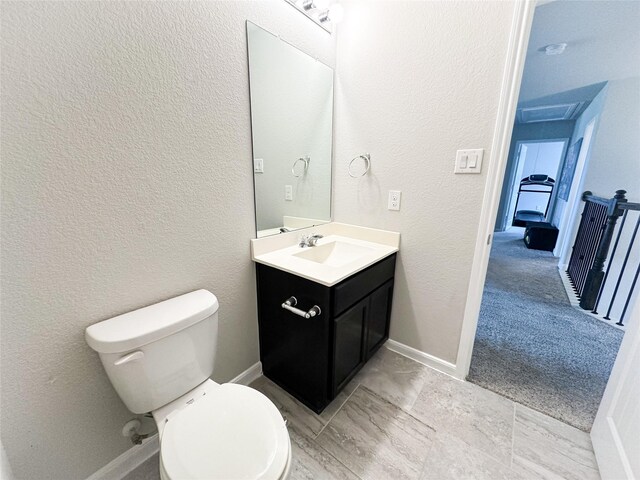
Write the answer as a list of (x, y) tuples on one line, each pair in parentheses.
[(233, 432)]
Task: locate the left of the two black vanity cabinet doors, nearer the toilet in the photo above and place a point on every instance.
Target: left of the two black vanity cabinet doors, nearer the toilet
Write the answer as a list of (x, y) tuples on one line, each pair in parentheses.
[(348, 344)]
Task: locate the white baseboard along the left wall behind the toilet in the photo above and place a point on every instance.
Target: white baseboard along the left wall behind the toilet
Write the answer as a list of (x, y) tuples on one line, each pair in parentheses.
[(127, 462)]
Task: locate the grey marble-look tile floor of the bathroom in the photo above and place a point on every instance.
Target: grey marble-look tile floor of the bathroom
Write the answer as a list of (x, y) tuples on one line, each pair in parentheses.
[(398, 419)]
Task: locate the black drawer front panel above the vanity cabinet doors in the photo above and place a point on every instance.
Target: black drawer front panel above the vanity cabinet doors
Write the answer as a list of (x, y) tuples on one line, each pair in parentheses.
[(361, 284)]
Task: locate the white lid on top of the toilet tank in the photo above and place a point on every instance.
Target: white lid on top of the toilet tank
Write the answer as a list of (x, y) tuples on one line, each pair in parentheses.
[(149, 324)]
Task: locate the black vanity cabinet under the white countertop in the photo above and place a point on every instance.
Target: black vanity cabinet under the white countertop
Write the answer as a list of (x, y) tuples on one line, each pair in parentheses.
[(314, 358)]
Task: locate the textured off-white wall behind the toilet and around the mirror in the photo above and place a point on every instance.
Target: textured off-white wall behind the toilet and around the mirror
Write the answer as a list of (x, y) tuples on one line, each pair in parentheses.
[(126, 179)]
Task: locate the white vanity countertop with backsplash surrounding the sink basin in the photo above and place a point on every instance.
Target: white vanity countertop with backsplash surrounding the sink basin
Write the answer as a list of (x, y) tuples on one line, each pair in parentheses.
[(280, 251)]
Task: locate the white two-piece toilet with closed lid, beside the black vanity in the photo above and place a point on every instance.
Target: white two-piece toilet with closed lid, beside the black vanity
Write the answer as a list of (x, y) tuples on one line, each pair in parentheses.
[(159, 359)]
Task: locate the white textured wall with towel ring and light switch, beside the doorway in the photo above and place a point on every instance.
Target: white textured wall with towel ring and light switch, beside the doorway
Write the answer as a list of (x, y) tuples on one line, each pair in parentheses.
[(415, 82)]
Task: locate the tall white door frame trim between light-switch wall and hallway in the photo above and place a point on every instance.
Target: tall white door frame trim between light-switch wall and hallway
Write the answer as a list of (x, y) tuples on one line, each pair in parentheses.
[(511, 79)]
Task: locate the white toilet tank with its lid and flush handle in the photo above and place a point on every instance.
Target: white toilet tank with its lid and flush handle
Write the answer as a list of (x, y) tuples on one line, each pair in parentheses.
[(155, 354)]
